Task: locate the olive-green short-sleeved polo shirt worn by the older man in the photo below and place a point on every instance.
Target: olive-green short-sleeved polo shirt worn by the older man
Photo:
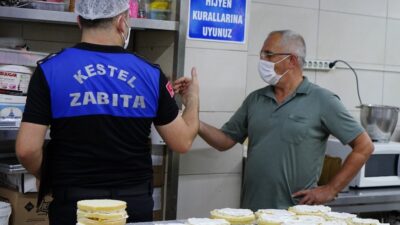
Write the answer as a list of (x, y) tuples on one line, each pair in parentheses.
[(287, 141)]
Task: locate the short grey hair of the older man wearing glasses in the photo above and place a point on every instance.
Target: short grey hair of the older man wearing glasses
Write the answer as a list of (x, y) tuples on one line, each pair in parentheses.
[(293, 43)]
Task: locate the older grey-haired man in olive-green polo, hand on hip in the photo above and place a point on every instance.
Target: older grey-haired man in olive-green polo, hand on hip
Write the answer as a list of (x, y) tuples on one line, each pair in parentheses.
[(288, 124)]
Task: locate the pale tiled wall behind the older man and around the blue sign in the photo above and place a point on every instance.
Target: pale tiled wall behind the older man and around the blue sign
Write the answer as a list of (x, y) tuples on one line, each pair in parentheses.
[(363, 32)]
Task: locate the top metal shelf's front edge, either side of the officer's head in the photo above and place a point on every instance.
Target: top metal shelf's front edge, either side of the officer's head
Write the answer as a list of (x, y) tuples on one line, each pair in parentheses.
[(58, 17)]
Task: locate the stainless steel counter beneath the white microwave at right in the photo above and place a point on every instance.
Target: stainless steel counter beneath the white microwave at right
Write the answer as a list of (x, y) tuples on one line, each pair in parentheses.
[(367, 200)]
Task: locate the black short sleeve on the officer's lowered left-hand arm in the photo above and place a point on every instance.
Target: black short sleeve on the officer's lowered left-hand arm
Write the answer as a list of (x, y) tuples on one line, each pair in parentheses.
[(38, 108)]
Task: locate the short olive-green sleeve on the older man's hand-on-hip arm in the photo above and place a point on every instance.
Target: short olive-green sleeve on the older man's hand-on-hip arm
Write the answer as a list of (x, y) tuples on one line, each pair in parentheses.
[(337, 119)]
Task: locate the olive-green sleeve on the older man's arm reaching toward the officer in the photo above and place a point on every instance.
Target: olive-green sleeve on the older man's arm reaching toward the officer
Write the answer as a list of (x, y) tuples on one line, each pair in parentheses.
[(236, 127)]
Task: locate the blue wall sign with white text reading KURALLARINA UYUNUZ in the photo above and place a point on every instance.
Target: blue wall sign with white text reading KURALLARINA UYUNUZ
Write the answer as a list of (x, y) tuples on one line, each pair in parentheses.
[(217, 20)]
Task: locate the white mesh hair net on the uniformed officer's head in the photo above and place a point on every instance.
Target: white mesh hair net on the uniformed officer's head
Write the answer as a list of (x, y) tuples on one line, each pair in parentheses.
[(100, 9)]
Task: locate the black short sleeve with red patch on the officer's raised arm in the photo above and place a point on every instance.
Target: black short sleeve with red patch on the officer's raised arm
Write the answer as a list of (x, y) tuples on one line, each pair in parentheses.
[(167, 108)]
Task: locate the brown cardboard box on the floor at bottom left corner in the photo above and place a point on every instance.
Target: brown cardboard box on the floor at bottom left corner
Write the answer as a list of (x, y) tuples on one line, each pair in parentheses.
[(24, 210)]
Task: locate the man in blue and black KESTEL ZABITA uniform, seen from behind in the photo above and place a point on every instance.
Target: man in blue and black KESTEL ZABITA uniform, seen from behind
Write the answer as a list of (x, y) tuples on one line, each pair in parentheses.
[(100, 101)]
